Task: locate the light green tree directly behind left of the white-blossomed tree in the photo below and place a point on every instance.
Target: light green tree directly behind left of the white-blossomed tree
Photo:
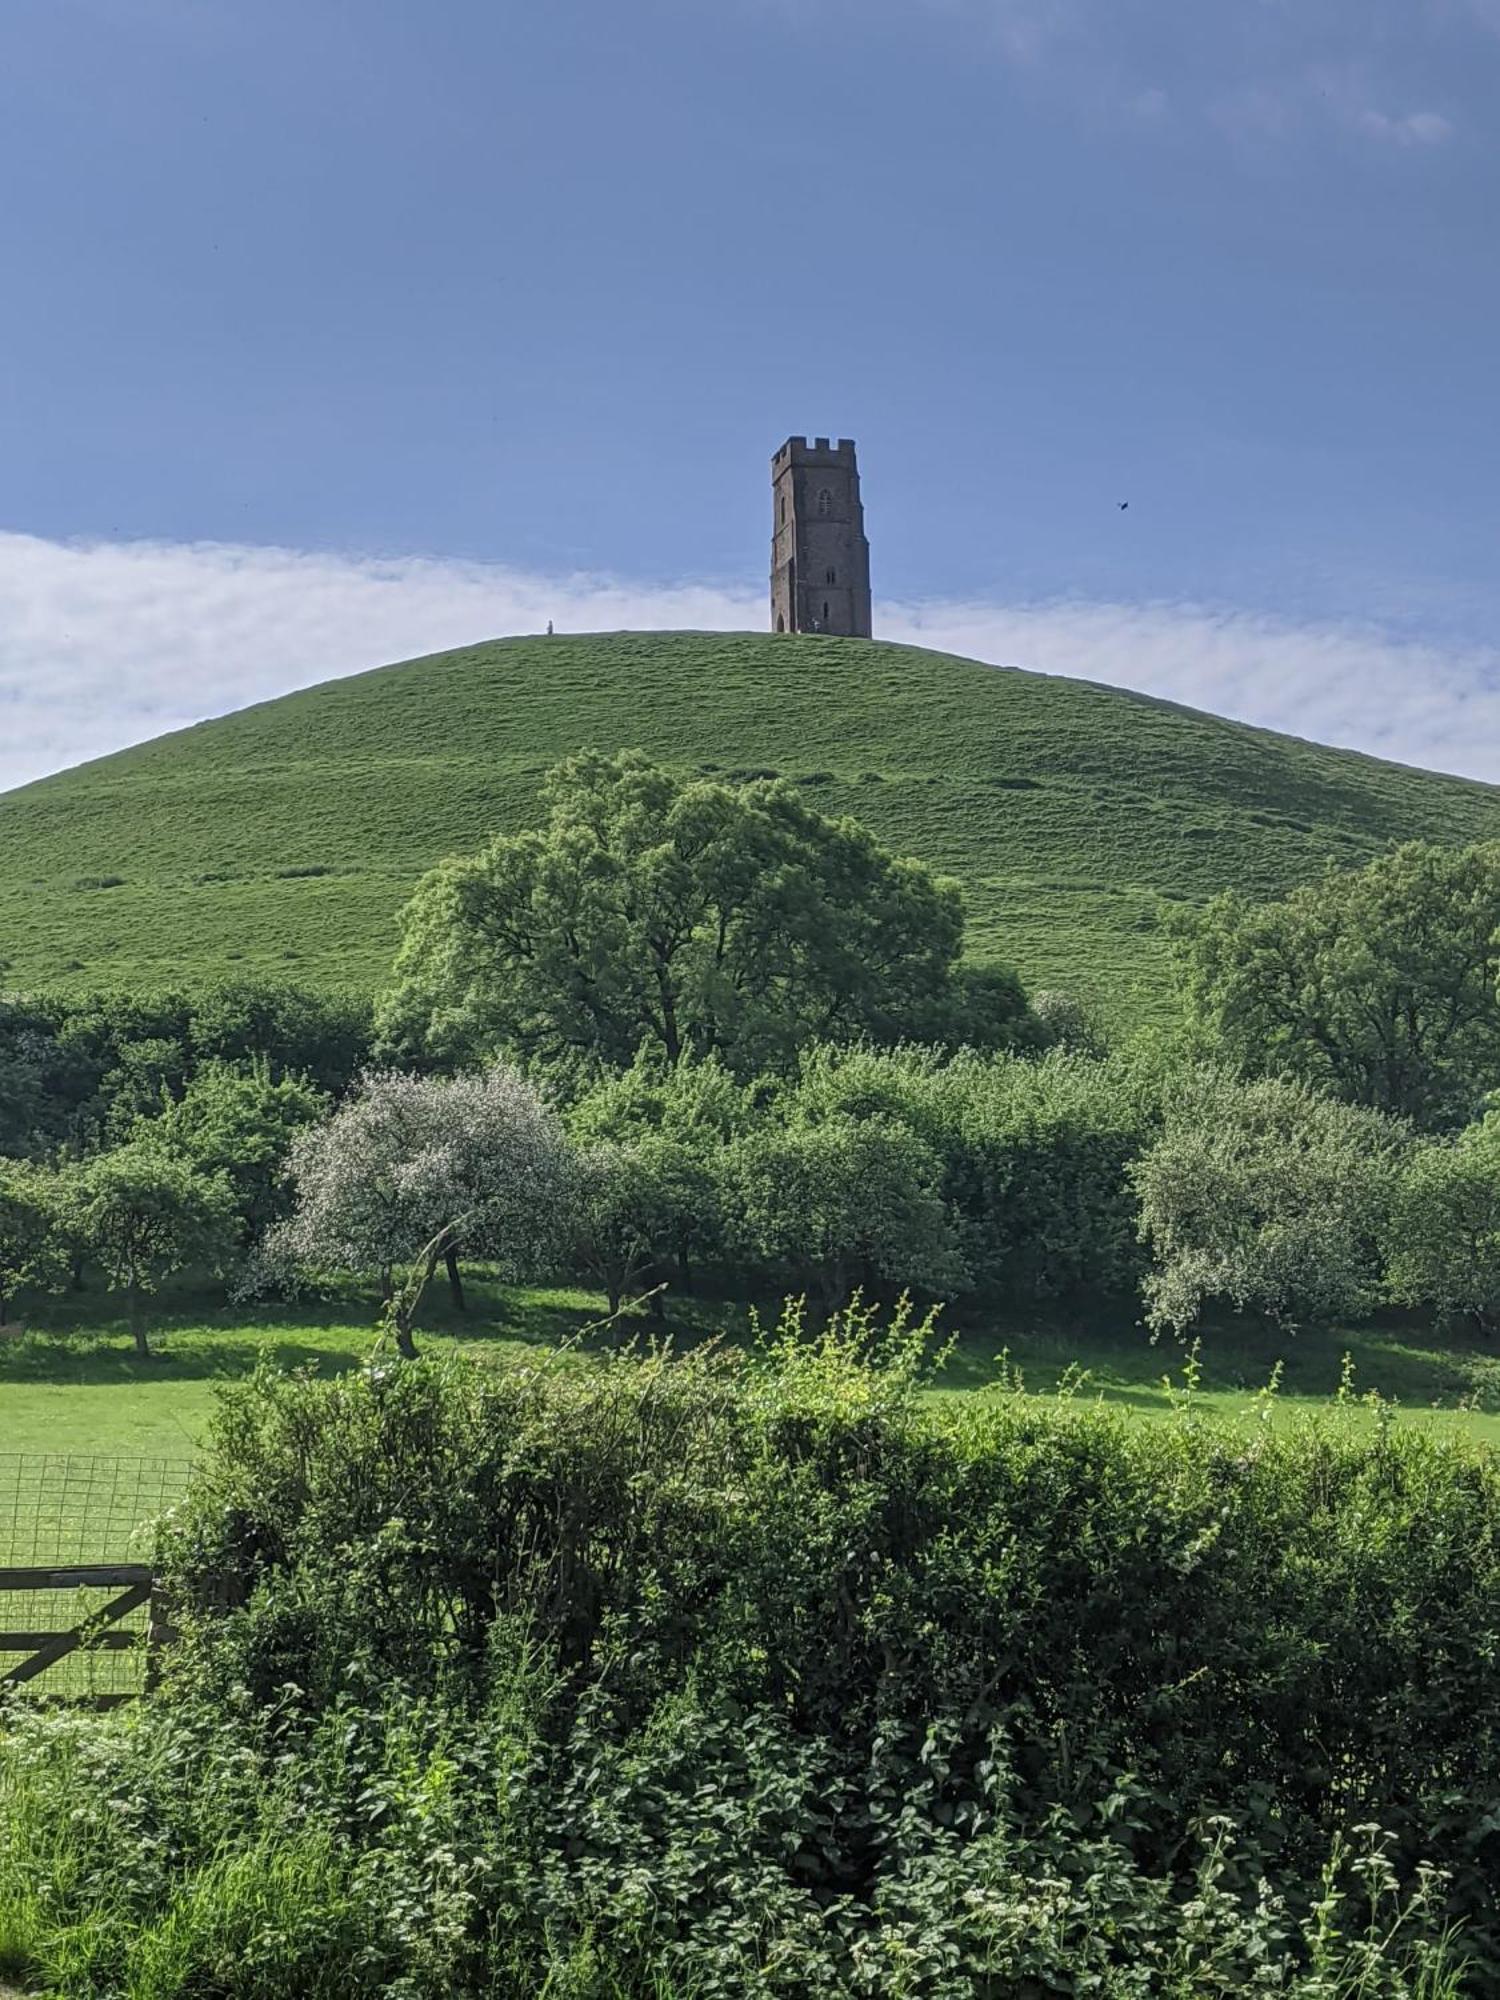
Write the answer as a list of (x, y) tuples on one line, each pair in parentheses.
[(237, 1121)]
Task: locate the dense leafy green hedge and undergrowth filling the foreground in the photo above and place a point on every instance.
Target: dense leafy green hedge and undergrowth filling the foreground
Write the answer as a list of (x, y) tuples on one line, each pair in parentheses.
[(769, 1677)]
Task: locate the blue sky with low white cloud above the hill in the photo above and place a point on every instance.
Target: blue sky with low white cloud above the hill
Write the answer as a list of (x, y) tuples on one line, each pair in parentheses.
[(341, 331)]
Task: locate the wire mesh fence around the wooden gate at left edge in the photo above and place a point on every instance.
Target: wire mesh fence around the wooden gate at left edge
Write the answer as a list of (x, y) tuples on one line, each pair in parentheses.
[(73, 1509)]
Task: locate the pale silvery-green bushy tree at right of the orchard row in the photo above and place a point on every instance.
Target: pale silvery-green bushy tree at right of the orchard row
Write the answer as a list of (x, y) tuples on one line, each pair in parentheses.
[(1265, 1195)]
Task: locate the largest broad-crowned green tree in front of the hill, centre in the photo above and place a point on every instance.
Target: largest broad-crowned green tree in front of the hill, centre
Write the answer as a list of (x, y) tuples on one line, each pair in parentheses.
[(683, 917)]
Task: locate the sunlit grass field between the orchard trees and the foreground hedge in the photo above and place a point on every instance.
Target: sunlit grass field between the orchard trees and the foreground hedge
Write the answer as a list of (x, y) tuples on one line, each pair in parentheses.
[(77, 1387)]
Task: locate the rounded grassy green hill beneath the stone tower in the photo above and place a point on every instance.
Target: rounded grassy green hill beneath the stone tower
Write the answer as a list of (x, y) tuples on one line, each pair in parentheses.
[(283, 839)]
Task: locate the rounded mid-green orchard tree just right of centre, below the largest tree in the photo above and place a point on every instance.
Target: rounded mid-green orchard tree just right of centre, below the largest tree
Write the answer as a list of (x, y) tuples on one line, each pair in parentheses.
[(841, 1203)]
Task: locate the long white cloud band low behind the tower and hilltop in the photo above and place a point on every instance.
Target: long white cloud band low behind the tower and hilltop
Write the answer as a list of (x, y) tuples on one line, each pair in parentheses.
[(103, 645)]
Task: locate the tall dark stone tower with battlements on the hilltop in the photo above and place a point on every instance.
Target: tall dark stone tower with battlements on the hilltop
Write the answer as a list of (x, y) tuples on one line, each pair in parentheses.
[(819, 557)]
